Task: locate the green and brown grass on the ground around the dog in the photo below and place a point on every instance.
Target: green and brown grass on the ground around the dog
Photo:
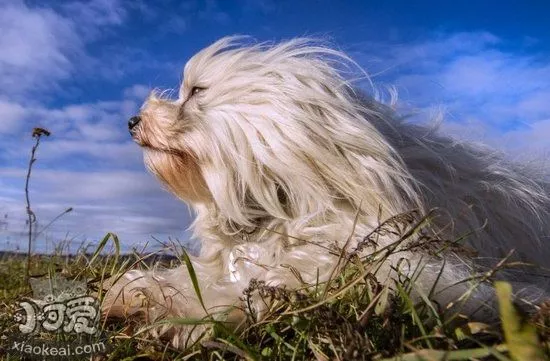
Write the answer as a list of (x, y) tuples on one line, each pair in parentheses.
[(352, 317)]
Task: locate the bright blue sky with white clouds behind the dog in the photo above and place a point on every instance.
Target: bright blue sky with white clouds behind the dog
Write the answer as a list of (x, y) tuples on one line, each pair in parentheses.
[(81, 68)]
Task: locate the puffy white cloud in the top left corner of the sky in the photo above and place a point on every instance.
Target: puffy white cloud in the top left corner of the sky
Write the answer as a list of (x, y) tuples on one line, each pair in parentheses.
[(40, 44)]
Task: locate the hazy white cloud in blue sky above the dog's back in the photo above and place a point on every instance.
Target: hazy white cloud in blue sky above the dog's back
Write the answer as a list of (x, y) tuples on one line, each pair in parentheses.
[(488, 93)]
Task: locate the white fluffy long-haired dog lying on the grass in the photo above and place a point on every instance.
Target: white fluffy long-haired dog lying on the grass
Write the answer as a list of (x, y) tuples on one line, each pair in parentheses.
[(282, 159)]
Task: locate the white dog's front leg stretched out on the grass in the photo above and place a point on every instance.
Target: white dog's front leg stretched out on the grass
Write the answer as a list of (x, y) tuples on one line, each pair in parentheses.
[(173, 305)]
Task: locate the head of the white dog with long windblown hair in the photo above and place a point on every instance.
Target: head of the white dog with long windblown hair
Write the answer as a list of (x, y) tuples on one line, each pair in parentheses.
[(260, 130)]
